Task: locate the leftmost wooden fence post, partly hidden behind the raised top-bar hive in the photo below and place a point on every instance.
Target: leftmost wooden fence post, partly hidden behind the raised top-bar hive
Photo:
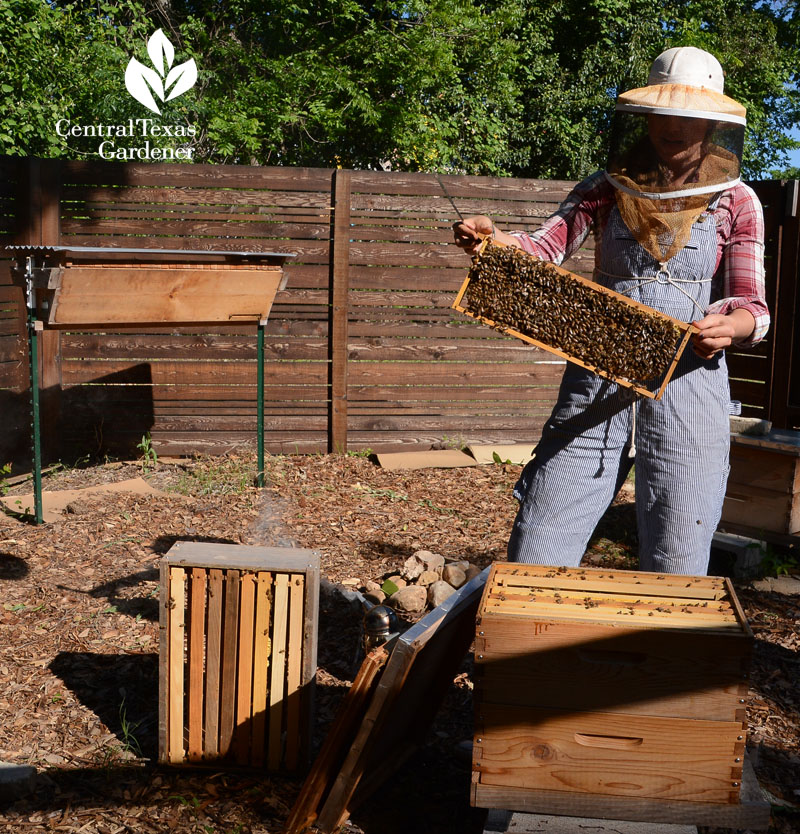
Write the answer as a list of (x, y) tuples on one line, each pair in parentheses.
[(39, 224)]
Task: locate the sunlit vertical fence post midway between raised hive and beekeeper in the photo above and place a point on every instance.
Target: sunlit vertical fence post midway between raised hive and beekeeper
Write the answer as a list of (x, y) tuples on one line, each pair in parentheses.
[(338, 323)]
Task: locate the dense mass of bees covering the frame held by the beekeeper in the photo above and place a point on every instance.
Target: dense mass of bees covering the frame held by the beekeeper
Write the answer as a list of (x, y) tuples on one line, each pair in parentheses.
[(515, 290)]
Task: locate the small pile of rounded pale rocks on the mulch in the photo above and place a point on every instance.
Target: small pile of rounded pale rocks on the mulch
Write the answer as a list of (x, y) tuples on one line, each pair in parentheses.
[(426, 580)]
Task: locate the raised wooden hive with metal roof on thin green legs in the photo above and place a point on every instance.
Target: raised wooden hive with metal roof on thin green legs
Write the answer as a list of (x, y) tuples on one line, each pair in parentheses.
[(80, 287)]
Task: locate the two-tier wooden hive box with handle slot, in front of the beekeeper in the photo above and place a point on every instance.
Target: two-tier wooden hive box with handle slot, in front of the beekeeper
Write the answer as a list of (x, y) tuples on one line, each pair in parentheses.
[(615, 693)]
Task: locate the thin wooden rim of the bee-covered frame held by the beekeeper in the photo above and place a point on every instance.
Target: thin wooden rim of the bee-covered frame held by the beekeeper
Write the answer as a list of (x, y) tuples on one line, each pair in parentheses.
[(686, 330)]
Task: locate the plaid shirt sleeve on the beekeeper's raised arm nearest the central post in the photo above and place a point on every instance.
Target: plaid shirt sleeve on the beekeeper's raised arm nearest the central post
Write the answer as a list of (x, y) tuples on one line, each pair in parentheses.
[(563, 232)]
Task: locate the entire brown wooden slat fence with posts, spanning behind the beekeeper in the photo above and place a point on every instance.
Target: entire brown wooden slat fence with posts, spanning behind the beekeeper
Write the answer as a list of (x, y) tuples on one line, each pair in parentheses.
[(362, 348)]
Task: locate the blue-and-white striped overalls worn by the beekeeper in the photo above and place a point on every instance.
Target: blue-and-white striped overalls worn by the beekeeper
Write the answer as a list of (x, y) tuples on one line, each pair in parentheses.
[(681, 441)]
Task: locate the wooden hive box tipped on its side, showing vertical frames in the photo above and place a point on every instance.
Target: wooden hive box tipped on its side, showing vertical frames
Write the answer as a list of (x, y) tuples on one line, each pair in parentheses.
[(238, 629)]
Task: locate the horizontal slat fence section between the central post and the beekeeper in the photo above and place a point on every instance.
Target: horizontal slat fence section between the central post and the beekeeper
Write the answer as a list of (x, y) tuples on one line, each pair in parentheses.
[(417, 369)]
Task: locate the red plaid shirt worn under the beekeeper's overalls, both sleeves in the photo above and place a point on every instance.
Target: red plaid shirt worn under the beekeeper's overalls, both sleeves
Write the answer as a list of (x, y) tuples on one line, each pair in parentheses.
[(740, 242)]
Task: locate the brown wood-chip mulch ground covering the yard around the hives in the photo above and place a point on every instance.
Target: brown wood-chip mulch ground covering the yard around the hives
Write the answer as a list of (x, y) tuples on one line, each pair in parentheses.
[(79, 639)]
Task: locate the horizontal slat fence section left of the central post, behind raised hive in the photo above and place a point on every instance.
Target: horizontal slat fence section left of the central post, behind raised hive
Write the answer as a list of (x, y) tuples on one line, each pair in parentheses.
[(196, 387)]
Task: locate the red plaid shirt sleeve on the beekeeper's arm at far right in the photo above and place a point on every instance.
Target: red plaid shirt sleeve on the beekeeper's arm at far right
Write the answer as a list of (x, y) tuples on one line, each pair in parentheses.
[(740, 258)]
